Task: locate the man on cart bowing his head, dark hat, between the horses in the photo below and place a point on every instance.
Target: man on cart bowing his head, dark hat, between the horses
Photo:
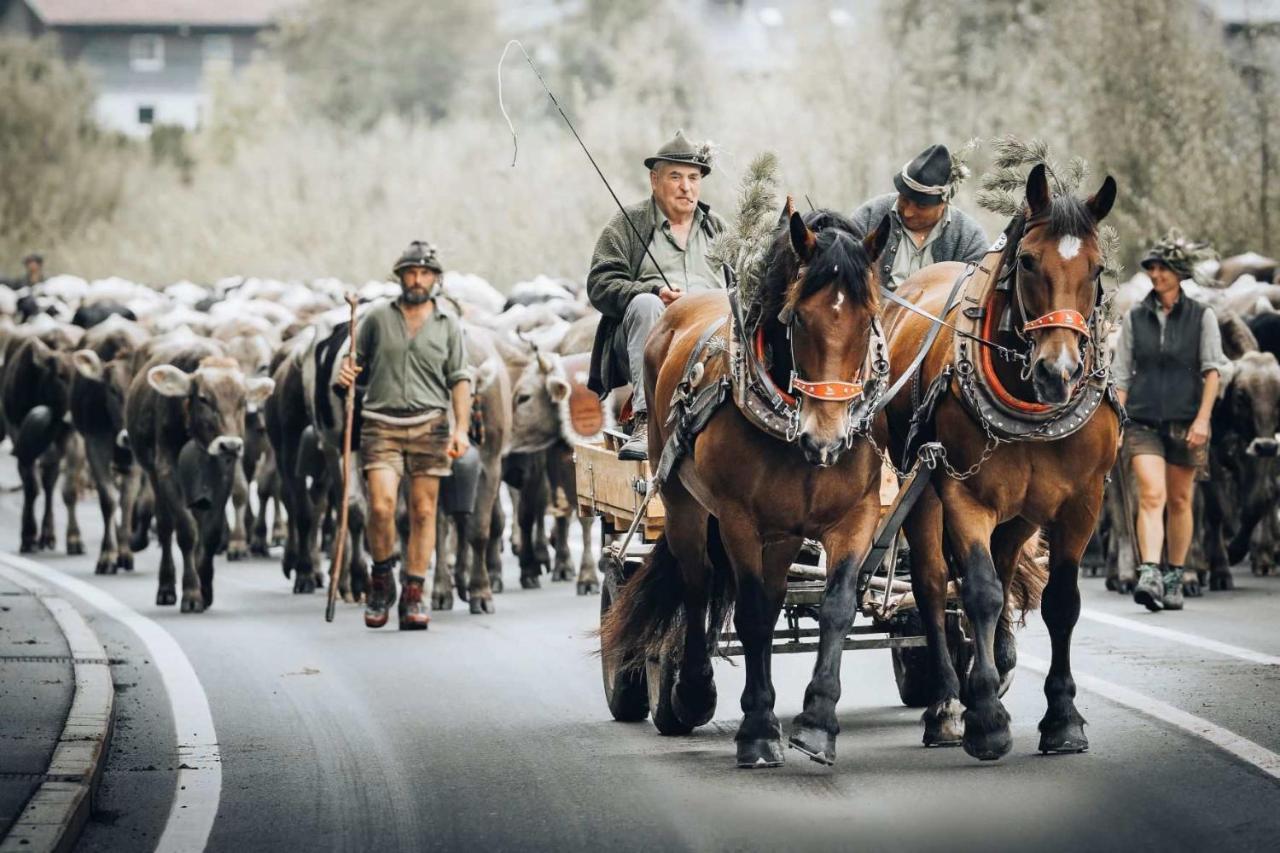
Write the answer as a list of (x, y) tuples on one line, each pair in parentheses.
[(926, 227)]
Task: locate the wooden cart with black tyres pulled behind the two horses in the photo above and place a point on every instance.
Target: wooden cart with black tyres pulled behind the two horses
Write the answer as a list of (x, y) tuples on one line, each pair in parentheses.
[(619, 492)]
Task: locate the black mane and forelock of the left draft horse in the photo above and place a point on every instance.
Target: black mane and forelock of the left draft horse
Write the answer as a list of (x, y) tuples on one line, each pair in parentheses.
[(839, 258)]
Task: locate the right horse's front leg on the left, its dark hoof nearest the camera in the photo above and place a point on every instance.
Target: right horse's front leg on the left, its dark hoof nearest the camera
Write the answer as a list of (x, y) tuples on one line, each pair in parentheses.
[(970, 526)]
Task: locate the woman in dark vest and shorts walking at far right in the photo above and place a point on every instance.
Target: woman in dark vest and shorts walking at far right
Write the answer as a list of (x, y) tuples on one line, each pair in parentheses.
[(1167, 366)]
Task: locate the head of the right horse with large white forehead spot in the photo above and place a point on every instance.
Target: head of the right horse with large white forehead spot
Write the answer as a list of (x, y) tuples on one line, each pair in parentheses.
[(1057, 284)]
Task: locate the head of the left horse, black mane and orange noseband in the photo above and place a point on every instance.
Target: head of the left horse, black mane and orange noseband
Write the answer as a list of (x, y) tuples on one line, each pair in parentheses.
[(821, 307)]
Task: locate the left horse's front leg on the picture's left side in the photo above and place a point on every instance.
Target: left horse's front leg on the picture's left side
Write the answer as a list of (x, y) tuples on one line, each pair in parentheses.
[(761, 591)]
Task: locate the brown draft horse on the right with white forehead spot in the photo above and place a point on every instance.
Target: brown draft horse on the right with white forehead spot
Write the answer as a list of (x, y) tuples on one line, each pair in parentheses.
[(982, 523)]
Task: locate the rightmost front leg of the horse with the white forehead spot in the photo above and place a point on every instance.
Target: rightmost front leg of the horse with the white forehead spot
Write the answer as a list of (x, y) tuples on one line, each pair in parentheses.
[(1063, 727)]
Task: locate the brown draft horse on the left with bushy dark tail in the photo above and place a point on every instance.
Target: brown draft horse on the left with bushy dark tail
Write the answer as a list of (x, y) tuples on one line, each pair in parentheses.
[(739, 509)]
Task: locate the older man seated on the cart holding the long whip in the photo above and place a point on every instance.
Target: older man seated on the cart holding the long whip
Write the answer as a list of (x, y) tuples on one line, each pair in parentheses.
[(648, 257)]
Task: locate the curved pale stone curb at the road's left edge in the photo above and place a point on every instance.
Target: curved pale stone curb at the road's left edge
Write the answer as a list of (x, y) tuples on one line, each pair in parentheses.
[(57, 813)]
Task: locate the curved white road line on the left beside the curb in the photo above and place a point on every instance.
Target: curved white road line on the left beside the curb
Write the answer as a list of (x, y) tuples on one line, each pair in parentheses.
[(200, 779)]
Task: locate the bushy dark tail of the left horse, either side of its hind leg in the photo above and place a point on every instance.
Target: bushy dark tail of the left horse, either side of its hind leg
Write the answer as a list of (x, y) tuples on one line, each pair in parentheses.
[(647, 621)]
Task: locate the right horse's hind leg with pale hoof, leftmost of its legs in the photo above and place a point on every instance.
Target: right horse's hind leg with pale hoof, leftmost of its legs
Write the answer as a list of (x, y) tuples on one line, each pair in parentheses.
[(943, 719)]
